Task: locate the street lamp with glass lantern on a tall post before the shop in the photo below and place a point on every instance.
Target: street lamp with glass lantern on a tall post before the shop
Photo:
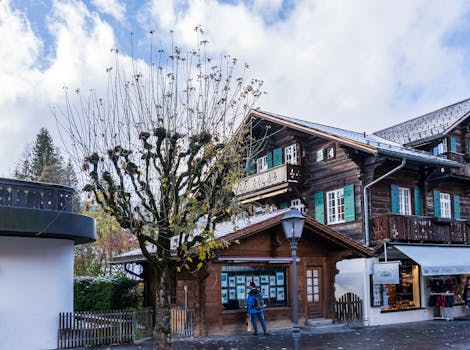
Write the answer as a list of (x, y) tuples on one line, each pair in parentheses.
[(292, 225)]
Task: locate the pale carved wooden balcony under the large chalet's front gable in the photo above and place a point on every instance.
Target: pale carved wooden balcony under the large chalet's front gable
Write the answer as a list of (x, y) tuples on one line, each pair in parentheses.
[(272, 180)]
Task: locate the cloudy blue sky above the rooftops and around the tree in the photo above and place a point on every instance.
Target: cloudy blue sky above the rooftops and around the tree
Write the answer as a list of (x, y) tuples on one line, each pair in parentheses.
[(360, 65)]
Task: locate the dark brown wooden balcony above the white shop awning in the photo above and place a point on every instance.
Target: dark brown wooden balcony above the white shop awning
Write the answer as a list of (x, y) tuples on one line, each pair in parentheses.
[(419, 229)]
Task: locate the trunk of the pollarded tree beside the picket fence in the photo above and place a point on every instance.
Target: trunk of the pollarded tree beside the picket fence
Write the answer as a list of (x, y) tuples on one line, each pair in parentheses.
[(162, 330)]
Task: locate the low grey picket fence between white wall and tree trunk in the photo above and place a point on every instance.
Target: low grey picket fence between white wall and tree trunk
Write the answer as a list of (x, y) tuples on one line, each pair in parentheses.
[(92, 328)]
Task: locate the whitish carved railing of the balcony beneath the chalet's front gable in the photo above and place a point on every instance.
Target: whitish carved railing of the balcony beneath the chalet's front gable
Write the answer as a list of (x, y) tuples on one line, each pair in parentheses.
[(281, 174)]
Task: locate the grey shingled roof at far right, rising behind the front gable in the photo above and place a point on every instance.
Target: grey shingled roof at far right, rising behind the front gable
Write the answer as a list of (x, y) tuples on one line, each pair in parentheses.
[(428, 127)]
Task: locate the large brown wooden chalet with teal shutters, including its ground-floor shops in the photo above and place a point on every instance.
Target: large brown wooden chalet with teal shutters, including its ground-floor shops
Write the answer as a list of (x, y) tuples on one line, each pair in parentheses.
[(402, 191)]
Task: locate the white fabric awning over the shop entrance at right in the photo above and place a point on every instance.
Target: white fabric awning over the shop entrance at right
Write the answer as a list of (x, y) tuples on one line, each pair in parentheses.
[(438, 260)]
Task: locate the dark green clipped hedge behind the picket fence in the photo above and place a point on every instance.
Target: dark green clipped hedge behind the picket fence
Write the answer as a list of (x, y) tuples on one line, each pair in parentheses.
[(104, 293)]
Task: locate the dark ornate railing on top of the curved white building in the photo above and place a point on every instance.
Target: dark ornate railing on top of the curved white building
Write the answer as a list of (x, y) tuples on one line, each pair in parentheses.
[(26, 194)]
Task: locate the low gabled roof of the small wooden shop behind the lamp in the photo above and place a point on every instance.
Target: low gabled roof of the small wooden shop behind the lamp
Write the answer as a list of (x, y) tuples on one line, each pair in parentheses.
[(244, 227)]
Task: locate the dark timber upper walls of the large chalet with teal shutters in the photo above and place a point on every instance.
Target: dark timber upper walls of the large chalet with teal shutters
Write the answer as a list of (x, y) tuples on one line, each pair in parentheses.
[(349, 165)]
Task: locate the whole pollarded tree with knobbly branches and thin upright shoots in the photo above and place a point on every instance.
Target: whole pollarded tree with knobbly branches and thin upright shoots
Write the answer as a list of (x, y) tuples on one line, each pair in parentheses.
[(162, 151)]
